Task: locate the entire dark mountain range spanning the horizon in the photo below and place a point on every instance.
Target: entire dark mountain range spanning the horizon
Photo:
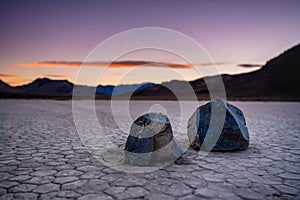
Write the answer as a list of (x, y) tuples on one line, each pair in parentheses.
[(278, 79)]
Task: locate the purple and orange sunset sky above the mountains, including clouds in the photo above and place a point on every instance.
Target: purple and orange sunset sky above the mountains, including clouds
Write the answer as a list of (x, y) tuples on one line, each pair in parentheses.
[(51, 38)]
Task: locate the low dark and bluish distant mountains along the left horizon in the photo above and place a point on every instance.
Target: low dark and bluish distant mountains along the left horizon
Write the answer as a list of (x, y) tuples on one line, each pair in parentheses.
[(47, 88)]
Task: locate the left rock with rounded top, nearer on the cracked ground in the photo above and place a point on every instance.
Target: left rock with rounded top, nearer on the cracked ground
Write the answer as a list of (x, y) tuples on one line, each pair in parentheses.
[(151, 141)]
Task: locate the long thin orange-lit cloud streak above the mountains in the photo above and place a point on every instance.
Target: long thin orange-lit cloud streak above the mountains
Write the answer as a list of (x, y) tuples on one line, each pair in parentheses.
[(118, 64)]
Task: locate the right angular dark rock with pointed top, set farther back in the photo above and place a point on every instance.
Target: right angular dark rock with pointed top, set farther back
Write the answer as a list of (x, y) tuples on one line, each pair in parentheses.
[(232, 136)]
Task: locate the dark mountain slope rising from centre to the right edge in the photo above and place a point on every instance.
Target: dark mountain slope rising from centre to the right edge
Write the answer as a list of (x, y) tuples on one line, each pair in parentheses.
[(278, 79)]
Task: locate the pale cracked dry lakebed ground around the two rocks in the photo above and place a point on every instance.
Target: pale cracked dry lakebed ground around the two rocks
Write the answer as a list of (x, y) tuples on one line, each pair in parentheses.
[(41, 157)]
